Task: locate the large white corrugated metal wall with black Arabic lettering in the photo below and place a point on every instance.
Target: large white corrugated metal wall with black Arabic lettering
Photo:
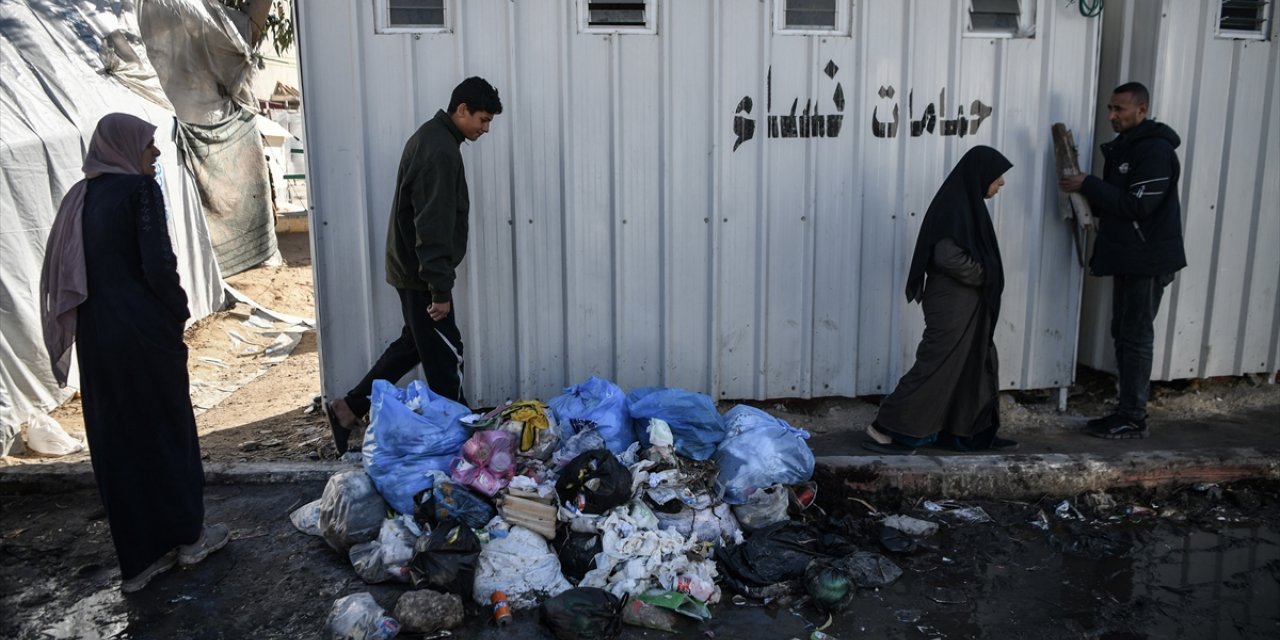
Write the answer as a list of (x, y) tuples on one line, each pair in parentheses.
[(623, 228)]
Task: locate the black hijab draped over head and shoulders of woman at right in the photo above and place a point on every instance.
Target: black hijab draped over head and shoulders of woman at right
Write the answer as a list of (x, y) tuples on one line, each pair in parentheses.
[(959, 212)]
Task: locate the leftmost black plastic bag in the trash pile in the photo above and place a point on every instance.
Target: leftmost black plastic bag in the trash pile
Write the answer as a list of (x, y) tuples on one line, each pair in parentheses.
[(446, 560)]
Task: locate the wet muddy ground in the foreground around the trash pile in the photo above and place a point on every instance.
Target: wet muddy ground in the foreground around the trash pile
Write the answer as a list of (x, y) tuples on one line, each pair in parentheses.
[(1188, 563)]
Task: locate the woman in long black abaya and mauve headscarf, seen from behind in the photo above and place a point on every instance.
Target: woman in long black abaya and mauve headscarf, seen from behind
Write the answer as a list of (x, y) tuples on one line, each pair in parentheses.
[(111, 286)]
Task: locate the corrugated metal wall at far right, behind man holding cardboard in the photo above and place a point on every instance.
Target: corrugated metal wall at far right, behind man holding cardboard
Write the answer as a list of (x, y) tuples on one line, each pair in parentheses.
[(1222, 317)]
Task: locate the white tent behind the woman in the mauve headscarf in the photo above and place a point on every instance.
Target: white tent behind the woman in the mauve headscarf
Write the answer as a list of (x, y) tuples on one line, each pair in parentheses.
[(63, 66)]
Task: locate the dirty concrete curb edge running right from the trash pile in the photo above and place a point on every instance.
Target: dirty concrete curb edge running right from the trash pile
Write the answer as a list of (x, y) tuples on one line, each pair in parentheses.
[(1031, 477)]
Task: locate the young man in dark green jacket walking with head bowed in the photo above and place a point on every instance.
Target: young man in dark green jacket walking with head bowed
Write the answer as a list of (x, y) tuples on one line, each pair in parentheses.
[(426, 243)]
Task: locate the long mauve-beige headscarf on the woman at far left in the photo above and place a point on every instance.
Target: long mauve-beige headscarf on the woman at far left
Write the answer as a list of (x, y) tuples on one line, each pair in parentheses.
[(117, 148)]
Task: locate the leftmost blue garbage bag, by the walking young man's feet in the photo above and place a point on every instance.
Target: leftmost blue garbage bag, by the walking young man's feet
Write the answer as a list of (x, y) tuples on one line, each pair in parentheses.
[(403, 445)]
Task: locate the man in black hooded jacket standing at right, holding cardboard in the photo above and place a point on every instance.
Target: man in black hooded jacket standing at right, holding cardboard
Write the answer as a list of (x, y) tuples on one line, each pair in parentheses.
[(1140, 244)]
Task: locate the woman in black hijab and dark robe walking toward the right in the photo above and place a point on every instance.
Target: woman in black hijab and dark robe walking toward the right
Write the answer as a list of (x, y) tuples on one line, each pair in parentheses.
[(949, 396)]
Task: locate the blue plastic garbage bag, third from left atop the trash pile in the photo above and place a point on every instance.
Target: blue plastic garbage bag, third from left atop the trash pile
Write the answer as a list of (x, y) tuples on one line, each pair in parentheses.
[(696, 424)]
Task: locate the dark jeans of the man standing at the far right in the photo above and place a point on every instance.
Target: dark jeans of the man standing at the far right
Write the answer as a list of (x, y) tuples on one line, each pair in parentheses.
[(1135, 303)]
